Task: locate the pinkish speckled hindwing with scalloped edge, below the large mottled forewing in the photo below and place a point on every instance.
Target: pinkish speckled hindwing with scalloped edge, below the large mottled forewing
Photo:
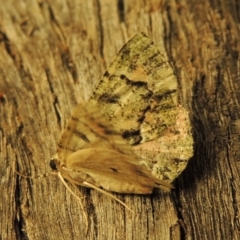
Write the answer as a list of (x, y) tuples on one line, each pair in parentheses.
[(168, 155)]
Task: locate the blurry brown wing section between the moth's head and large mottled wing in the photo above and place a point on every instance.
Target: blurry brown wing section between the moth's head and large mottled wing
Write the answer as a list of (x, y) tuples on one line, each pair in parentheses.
[(88, 128)]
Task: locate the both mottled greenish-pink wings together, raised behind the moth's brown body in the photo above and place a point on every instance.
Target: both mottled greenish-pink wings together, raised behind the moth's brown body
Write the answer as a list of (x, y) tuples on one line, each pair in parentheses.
[(138, 95)]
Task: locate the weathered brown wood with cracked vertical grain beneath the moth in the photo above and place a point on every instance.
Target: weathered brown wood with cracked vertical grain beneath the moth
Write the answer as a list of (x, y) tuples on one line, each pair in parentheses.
[(52, 55)]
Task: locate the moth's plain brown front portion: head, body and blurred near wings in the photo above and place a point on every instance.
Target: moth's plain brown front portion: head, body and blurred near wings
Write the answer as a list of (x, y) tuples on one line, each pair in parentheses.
[(91, 153)]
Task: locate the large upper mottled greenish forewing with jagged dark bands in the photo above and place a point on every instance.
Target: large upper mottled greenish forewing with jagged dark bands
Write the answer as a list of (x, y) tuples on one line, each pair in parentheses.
[(138, 72)]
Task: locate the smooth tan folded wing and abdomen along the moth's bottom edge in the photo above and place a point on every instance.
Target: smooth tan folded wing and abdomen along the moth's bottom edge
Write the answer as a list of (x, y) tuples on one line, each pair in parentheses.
[(114, 171)]
